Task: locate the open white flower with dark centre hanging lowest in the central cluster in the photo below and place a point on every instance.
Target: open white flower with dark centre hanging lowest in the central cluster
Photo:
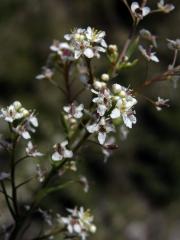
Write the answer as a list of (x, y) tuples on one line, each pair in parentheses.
[(102, 127)]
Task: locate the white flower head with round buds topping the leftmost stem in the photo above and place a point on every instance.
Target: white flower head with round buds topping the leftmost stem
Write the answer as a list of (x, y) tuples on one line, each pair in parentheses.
[(13, 112)]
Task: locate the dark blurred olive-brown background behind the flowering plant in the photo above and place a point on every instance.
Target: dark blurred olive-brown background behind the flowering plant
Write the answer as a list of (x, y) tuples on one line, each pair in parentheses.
[(136, 194)]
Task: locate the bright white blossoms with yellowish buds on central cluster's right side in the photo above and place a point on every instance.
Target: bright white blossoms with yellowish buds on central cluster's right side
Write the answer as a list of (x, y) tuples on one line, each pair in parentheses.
[(124, 105)]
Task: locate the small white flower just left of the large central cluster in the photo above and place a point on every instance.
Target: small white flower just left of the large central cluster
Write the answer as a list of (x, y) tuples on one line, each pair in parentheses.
[(74, 111)]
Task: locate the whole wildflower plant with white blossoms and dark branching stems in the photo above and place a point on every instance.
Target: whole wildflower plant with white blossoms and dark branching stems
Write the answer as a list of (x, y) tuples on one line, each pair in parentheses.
[(111, 111)]
